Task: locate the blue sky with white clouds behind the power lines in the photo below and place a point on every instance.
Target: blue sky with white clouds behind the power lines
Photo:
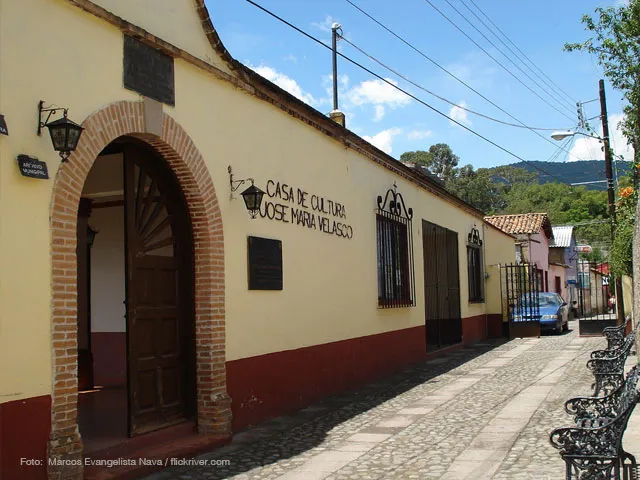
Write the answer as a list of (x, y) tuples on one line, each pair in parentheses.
[(396, 123)]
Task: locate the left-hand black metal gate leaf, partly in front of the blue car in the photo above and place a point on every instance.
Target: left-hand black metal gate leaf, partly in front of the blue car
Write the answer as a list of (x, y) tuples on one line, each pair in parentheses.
[(520, 286)]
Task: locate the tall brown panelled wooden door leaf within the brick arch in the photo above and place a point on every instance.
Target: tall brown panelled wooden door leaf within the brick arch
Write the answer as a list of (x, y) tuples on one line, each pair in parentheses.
[(159, 304)]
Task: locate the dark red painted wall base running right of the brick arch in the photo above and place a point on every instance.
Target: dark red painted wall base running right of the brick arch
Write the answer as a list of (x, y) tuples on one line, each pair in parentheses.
[(270, 385)]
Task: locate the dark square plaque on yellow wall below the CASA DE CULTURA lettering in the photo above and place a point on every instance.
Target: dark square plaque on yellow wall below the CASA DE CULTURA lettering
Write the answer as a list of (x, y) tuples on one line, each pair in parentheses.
[(265, 263)]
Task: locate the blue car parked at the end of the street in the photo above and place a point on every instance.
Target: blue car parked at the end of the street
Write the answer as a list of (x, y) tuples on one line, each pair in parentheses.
[(553, 311)]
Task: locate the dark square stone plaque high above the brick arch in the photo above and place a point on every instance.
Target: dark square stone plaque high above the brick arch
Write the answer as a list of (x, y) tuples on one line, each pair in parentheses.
[(148, 71)]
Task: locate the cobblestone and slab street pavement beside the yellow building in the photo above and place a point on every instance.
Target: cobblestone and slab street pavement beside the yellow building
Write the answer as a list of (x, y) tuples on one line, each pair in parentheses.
[(477, 413)]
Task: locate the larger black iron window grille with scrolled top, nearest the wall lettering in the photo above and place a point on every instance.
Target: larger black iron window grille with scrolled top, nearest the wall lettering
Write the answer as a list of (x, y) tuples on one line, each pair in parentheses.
[(396, 282)]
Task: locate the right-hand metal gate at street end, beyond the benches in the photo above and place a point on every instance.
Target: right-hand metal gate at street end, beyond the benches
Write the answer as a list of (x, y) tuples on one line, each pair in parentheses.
[(596, 308)]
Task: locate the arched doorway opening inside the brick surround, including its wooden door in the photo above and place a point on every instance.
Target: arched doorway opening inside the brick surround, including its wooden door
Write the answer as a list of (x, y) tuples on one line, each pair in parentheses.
[(136, 337)]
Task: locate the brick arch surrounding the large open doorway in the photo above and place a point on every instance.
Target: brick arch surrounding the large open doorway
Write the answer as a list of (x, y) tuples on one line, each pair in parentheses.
[(179, 151)]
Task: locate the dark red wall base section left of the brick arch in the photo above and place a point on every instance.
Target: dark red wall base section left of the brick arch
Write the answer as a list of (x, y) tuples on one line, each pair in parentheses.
[(24, 431)]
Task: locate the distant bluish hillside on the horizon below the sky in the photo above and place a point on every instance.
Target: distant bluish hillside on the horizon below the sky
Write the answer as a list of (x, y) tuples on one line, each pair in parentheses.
[(574, 172)]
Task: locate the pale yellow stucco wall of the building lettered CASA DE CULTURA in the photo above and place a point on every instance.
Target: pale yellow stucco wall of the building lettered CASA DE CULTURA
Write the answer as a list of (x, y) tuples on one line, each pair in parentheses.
[(330, 288)]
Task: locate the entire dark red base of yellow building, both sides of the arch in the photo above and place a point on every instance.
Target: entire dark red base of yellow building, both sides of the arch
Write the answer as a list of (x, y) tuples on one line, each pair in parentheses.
[(261, 387)]
